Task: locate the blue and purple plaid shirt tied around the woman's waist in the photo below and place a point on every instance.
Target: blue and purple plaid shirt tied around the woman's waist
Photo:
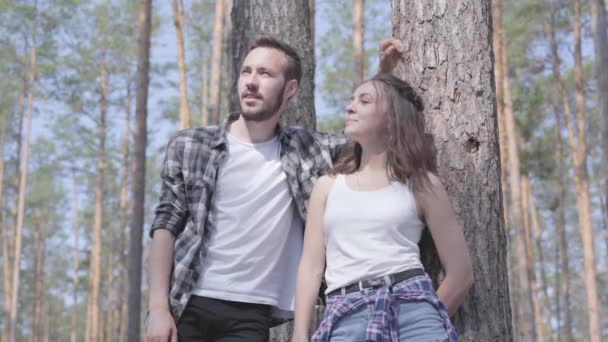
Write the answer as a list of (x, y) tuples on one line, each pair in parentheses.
[(382, 326)]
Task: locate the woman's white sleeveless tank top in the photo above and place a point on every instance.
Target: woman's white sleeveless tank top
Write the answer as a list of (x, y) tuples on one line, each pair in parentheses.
[(369, 234)]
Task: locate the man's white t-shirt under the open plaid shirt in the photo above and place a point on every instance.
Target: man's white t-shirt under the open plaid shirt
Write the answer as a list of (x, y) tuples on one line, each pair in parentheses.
[(256, 241)]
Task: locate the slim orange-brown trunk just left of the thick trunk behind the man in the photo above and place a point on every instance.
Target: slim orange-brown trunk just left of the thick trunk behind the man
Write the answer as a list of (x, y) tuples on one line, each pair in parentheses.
[(216, 62)]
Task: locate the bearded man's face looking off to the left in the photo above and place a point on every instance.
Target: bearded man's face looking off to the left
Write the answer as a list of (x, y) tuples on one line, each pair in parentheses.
[(261, 83)]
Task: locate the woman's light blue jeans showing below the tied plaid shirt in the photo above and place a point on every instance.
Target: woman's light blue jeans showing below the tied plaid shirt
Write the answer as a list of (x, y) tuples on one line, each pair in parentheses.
[(417, 321)]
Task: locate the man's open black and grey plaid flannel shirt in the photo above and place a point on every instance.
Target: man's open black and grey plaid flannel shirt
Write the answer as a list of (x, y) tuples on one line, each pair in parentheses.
[(188, 177)]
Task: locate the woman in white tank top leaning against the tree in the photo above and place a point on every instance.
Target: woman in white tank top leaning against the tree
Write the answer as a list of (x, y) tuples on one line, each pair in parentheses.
[(364, 224)]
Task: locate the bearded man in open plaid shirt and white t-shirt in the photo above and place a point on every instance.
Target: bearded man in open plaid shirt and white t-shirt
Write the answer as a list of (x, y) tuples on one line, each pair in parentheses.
[(227, 235)]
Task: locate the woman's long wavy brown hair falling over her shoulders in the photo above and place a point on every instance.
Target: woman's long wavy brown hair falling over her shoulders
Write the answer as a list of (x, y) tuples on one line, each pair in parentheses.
[(410, 151)]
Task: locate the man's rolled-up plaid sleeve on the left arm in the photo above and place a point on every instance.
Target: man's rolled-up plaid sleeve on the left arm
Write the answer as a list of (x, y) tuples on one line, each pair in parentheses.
[(172, 210)]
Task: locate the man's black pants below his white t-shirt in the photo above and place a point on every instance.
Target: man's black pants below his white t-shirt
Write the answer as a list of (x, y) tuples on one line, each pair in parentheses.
[(213, 320)]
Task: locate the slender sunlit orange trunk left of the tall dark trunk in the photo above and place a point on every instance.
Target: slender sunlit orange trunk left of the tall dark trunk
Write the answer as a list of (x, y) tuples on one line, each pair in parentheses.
[(93, 322)]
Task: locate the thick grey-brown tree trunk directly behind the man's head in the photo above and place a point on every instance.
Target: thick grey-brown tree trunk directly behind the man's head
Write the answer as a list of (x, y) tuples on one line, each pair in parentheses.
[(289, 21)]
